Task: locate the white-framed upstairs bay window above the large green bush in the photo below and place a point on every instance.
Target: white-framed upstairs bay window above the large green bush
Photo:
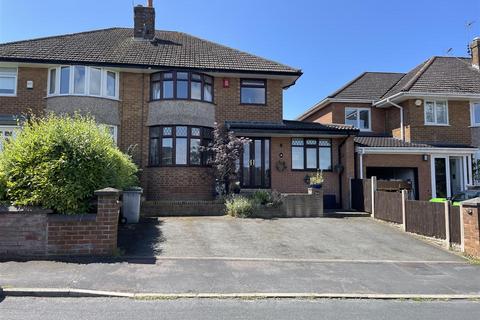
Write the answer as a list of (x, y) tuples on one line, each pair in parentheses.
[(83, 81)]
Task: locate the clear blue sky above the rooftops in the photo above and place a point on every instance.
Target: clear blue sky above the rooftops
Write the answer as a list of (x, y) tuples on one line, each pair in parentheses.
[(330, 41)]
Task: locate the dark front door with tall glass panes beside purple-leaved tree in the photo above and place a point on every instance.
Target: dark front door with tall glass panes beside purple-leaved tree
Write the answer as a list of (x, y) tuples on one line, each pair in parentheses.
[(255, 164)]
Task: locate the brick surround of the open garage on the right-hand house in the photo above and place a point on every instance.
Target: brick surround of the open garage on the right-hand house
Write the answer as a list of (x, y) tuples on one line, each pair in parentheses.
[(405, 161)]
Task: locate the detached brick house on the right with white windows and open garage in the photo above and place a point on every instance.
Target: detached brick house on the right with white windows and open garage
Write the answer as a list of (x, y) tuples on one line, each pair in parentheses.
[(422, 126)]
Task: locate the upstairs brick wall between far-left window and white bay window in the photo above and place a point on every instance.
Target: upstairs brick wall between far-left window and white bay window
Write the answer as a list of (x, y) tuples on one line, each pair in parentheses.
[(27, 100)]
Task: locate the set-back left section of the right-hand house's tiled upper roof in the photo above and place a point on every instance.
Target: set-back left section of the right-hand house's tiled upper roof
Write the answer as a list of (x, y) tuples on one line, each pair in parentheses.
[(368, 86)]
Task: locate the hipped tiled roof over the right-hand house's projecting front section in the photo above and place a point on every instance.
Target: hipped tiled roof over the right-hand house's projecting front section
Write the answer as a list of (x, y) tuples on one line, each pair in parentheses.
[(440, 75)]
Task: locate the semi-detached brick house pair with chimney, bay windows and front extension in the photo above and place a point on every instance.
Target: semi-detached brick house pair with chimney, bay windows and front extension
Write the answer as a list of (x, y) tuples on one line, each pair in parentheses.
[(160, 93)]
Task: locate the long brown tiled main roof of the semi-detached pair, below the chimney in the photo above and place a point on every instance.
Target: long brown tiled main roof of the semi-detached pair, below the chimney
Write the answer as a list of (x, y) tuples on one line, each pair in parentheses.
[(116, 46)]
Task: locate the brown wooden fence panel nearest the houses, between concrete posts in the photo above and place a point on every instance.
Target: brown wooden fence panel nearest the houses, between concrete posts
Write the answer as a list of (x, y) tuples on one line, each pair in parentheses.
[(388, 206)]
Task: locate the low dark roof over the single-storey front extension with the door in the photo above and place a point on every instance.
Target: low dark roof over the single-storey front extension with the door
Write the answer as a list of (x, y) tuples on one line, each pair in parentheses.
[(290, 126)]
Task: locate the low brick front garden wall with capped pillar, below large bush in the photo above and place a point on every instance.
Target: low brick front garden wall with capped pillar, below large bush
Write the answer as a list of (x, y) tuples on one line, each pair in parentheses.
[(36, 232)]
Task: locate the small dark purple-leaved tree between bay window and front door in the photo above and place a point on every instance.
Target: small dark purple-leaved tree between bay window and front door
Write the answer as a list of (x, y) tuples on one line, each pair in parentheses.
[(226, 149)]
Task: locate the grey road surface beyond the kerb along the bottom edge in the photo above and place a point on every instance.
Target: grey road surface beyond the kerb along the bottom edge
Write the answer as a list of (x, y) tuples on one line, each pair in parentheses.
[(201, 309)]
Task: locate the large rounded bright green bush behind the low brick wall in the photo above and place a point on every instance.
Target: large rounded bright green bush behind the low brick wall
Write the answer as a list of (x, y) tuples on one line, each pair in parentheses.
[(58, 162)]
